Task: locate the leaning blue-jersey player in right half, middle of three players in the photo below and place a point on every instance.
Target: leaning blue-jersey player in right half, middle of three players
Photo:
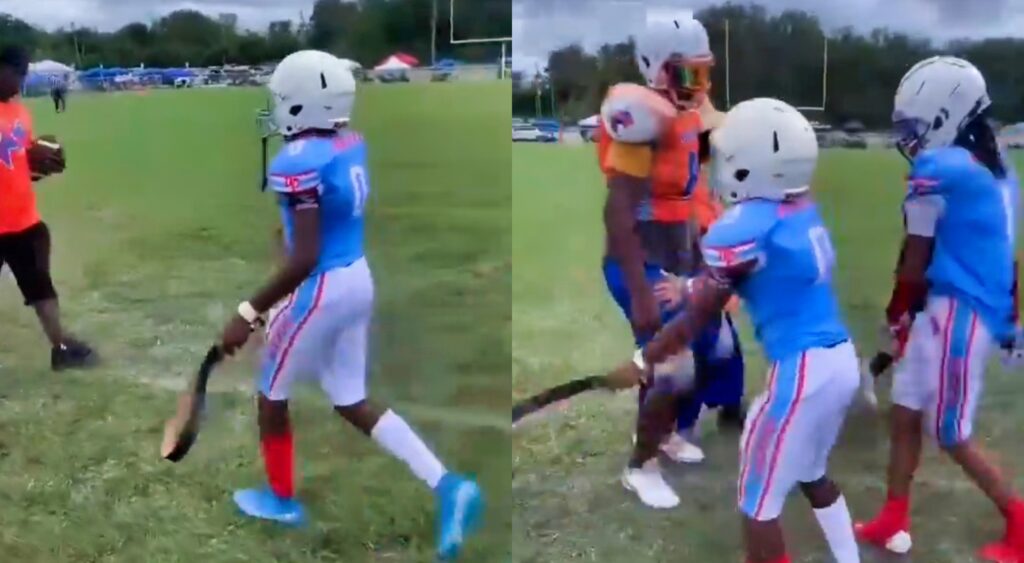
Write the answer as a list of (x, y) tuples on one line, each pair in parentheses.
[(773, 250)]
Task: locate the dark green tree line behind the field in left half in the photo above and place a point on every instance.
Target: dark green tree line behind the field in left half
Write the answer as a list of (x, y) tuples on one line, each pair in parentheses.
[(366, 31)]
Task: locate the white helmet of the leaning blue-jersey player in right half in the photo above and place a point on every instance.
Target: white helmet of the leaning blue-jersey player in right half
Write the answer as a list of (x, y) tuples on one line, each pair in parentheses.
[(765, 149)]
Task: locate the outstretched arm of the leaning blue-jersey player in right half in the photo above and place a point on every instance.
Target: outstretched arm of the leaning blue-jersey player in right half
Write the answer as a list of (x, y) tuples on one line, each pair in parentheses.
[(709, 295)]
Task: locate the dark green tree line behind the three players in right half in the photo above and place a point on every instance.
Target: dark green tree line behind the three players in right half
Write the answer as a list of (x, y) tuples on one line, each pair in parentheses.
[(781, 56)]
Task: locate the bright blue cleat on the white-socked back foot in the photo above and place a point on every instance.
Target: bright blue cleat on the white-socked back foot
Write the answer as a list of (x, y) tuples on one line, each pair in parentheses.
[(460, 507)]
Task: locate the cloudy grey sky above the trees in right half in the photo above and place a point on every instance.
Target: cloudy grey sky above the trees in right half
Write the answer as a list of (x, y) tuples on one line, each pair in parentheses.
[(540, 26)]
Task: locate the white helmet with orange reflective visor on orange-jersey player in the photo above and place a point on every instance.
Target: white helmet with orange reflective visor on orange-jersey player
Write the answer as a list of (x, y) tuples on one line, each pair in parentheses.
[(675, 57)]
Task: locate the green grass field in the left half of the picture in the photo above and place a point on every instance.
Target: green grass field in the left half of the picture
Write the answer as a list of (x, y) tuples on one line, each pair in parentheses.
[(159, 231)]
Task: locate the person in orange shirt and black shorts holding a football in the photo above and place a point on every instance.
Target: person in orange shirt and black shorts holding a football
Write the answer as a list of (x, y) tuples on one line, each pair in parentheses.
[(25, 239)]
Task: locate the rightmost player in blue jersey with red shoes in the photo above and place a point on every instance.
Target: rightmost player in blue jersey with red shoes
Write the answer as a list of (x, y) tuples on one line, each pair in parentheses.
[(958, 259)]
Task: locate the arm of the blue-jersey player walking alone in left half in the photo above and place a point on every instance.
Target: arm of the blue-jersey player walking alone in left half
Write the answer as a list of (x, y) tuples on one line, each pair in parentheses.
[(300, 264)]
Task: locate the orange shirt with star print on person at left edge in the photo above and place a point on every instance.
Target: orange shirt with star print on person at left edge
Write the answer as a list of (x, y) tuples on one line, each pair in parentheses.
[(18, 200)]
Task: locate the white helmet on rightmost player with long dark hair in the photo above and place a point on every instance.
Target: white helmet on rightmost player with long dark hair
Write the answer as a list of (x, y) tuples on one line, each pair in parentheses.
[(935, 101)]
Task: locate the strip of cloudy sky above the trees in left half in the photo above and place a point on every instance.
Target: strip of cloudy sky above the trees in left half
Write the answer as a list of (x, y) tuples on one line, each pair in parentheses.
[(111, 15)]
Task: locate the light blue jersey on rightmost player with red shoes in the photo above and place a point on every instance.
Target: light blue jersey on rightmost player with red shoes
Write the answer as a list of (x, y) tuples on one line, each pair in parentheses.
[(974, 231)]
